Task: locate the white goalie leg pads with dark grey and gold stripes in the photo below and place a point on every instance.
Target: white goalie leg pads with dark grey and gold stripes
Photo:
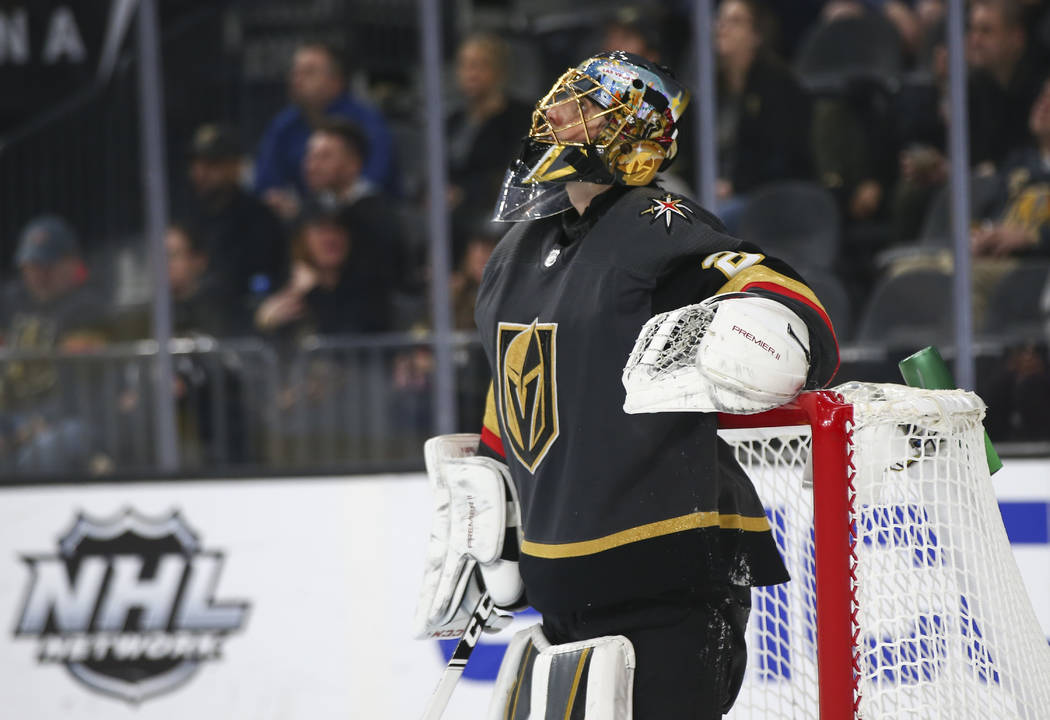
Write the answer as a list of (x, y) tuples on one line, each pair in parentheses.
[(542, 682)]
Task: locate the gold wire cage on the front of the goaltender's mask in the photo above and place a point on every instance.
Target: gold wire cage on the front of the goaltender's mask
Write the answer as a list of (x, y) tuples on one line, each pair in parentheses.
[(565, 91)]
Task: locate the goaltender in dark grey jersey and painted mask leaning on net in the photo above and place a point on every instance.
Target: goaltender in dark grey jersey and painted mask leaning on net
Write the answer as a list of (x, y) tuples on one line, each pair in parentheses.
[(620, 517)]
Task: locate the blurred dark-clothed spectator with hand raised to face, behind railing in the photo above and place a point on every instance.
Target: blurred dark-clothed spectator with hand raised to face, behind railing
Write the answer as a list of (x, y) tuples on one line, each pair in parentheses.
[(330, 291)]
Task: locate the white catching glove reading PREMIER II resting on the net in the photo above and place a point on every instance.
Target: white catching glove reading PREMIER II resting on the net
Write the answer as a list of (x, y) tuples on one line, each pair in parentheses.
[(739, 354)]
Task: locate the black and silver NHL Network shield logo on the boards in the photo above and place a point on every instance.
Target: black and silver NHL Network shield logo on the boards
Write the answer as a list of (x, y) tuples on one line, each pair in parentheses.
[(128, 605)]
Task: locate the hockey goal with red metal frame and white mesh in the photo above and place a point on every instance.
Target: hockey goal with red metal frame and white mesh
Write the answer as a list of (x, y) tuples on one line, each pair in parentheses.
[(906, 601)]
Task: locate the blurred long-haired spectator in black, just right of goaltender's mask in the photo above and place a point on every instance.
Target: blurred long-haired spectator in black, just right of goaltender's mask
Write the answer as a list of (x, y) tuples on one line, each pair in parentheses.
[(764, 115)]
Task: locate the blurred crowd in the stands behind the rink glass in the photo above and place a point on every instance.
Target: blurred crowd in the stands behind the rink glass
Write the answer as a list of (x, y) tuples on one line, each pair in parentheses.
[(298, 245)]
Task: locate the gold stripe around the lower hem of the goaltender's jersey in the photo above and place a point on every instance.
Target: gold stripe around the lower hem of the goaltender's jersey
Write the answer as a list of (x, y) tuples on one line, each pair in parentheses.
[(665, 527)]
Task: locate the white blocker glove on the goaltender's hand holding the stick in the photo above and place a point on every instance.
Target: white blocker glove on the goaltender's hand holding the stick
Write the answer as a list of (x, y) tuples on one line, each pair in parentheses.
[(475, 516)]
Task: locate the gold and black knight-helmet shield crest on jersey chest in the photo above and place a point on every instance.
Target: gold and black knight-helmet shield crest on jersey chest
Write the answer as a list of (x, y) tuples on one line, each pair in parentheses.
[(529, 394)]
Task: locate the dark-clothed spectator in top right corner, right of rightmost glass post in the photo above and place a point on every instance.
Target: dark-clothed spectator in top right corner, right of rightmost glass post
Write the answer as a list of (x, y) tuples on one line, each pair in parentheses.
[(998, 46)]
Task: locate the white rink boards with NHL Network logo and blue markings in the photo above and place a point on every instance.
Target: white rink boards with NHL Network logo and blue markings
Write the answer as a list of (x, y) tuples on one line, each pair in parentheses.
[(265, 599)]
